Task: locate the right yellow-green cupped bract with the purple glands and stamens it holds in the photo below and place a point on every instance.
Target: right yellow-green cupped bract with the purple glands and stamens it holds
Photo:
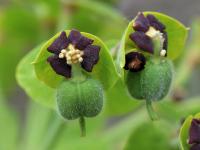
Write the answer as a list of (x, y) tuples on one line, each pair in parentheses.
[(153, 34)]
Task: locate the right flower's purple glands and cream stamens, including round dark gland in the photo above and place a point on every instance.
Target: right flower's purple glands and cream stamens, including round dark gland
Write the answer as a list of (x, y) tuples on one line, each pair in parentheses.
[(146, 29)]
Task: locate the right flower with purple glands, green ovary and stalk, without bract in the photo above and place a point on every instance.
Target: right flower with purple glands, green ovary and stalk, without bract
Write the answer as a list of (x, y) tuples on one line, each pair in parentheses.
[(148, 77)]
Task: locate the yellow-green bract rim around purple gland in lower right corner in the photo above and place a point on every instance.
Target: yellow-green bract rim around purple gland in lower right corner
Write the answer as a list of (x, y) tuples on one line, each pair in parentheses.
[(184, 132)]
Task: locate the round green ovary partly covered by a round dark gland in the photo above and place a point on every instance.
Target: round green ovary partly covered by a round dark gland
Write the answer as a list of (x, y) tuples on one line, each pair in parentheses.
[(153, 82)]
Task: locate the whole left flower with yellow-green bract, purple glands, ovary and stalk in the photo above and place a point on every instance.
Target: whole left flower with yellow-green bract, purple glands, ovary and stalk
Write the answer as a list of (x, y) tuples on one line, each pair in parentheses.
[(74, 71)]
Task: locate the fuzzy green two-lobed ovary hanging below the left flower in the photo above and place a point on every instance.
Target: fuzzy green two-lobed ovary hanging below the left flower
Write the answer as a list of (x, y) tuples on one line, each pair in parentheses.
[(79, 99)]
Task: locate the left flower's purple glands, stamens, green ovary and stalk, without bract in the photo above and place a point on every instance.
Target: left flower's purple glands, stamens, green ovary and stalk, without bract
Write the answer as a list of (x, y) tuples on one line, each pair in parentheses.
[(78, 96)]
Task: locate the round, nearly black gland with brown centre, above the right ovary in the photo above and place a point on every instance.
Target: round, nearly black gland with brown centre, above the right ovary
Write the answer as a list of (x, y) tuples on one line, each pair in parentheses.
[(135, 61)]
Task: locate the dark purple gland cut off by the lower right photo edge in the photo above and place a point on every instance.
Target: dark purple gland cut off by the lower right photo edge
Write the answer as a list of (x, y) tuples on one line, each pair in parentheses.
[(194, 134)]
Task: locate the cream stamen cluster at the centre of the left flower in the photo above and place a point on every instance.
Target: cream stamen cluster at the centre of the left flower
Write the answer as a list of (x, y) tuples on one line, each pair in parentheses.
[(71, 54)]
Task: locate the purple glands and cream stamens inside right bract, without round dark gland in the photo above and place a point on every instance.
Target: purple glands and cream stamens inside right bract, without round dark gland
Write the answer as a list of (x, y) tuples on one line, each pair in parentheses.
[(150, 34)]
